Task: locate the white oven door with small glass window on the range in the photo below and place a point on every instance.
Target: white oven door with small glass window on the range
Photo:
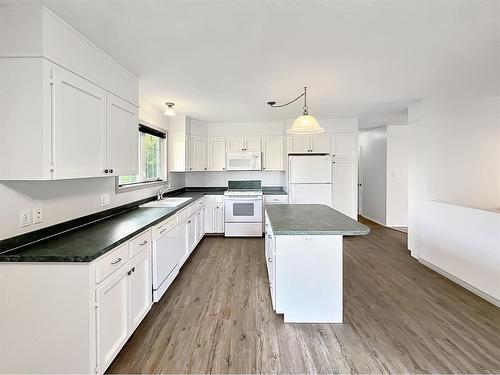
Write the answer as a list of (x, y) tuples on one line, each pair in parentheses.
[(243, 209)]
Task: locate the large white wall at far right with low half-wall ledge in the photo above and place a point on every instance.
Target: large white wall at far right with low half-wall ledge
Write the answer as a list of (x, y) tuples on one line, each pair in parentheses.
[(455, 159)]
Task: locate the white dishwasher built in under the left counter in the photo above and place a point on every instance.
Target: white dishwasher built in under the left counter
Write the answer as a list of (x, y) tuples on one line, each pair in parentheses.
[(169, 246)]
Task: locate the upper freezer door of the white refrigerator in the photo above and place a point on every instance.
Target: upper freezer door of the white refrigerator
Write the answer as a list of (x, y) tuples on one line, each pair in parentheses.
[(310, 169)]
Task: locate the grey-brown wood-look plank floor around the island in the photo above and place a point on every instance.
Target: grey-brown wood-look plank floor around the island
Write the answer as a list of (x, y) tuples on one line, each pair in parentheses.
[(400, 317)]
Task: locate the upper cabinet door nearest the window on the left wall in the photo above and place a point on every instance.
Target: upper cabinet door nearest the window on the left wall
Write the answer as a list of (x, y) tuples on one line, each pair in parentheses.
[(123, 137)]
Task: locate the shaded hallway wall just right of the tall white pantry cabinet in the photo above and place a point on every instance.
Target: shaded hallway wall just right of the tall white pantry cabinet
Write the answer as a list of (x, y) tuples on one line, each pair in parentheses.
[(374, 154)]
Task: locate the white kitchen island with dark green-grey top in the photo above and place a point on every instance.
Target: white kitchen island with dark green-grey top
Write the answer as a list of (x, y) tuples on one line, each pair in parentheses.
[(303, 248)]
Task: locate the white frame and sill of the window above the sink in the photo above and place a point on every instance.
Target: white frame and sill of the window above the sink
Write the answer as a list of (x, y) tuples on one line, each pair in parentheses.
[(145, 183)]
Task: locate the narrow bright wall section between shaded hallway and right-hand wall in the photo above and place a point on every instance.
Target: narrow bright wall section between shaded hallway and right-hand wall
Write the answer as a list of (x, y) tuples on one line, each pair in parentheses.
[(398, 138)]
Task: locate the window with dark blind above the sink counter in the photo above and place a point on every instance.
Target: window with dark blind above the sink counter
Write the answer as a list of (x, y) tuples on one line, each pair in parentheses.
[(152, 158)]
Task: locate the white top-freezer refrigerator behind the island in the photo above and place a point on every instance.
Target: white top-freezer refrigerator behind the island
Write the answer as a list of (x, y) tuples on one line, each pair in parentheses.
[(310, 179)]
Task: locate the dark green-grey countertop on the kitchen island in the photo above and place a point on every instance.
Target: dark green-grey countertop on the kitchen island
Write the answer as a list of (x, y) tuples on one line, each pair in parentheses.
[(312, 219)]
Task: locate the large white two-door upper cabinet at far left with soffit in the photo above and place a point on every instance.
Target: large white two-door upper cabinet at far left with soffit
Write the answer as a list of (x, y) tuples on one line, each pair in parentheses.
[(81, 120)]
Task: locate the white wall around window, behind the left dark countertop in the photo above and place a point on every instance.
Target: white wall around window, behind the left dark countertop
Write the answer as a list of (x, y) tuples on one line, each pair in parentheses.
[(68, 199)]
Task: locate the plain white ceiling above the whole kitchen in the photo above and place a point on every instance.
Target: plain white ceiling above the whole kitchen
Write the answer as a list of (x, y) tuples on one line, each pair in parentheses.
[(222, 60)]
